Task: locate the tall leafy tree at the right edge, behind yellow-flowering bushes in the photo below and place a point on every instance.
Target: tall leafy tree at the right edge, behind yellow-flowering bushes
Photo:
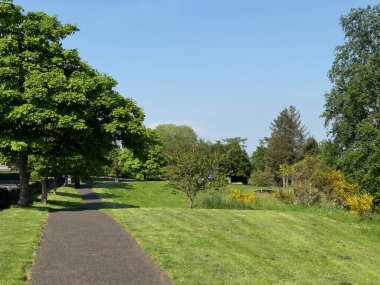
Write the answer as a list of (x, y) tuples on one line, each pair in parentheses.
[(352, 109)]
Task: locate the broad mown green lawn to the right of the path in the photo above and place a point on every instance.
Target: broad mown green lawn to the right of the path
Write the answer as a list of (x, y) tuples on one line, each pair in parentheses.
[(281, 246)]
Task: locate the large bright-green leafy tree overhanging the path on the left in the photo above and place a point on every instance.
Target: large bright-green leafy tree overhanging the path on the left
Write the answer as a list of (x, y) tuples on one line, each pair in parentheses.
[(51, 102)]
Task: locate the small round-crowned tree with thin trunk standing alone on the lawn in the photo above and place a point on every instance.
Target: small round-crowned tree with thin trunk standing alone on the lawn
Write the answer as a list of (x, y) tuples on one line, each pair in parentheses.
[(193, 168)]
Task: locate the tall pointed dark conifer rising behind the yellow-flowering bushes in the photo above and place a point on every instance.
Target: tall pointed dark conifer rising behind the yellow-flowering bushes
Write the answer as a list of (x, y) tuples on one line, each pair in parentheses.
[(286, 140)]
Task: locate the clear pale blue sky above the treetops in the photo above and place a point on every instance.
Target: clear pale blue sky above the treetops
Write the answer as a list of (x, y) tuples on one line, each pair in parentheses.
[(225, 67)]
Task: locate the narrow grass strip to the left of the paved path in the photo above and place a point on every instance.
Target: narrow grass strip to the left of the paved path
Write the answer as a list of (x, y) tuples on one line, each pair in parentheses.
[(20, 233)]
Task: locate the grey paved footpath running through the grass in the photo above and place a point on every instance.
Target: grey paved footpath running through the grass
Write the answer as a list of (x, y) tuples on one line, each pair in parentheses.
[(86, 246)]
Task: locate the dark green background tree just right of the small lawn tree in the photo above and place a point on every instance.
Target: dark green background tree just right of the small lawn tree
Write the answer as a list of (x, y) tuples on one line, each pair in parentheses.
[(235, 162)]
